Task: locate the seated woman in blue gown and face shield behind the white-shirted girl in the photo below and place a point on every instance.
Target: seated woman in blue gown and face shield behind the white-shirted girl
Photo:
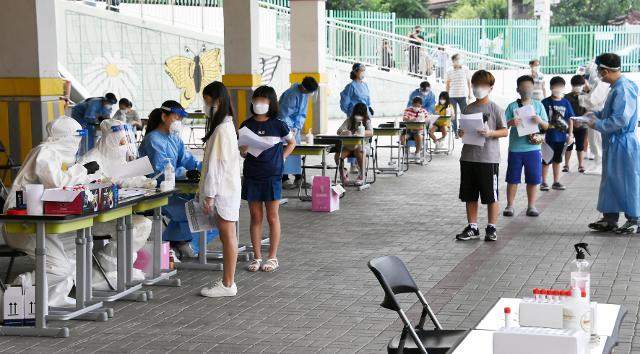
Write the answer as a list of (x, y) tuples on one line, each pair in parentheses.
[(162, 143)]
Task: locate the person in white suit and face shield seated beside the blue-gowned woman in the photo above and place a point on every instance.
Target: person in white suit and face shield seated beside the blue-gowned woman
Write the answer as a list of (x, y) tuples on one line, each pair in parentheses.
[(112, 152)]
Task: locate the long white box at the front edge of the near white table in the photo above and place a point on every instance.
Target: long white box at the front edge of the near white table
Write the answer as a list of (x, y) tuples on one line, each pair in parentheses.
[(531, 340)]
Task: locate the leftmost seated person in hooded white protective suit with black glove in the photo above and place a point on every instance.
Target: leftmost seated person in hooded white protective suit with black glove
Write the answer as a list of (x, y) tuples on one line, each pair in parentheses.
[(53, 164)]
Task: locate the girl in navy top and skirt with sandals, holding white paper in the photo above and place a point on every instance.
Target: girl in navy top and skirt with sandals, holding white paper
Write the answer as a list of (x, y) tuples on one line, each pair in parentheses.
[(263, 174)]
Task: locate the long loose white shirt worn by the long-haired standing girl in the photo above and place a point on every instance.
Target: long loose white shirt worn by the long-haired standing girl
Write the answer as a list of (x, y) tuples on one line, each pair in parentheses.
[(221, 171)]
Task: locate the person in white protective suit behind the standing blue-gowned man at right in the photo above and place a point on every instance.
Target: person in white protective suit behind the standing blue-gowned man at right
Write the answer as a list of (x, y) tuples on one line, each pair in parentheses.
[(593, 99)]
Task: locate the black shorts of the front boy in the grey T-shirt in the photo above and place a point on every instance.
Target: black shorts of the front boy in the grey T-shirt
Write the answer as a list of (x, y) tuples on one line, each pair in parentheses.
[(479, 179)]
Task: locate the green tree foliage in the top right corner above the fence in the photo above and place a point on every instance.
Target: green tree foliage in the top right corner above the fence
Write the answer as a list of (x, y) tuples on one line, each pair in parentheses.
[(590, 12)]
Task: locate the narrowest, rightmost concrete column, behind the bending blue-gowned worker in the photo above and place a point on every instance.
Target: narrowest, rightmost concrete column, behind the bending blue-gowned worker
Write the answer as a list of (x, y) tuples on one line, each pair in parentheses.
[(308, 56)]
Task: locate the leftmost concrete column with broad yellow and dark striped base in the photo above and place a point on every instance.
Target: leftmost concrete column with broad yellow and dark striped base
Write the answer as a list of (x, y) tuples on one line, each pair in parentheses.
[(30, 87)]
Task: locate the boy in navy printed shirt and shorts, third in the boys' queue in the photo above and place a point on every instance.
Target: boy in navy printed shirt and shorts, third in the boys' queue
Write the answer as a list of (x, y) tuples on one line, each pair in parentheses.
[(559, 135)]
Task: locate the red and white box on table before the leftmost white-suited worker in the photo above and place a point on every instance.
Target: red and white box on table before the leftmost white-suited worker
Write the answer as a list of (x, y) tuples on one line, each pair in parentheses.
[(72, 200)]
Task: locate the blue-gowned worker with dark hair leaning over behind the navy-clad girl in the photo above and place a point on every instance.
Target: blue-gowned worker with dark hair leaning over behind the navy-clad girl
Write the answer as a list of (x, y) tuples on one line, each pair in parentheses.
[(294, 103)]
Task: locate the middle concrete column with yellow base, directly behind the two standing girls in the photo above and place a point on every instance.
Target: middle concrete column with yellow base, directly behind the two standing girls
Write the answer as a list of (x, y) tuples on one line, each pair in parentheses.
[(241, 73)]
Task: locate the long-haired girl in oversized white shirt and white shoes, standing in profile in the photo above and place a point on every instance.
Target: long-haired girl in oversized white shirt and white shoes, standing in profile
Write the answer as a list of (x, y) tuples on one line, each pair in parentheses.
[(219, 192)]
